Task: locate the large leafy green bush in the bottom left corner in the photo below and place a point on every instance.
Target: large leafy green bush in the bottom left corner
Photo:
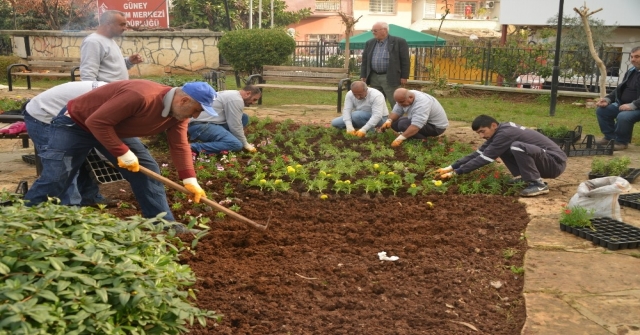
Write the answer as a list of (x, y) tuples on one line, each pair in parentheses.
[(69, 270)]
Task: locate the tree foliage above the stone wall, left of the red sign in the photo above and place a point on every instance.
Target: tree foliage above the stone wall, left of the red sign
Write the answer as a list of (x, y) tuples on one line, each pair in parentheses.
[(52, 14)]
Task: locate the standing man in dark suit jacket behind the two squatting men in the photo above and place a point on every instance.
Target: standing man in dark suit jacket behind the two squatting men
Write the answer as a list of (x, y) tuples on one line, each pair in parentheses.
[(385, 61)]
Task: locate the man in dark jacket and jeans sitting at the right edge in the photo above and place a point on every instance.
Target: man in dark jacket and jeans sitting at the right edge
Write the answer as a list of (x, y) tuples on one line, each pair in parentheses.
[(618, 111)]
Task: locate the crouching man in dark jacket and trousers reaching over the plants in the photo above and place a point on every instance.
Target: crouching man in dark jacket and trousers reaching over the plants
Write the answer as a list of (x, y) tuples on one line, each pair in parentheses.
[(525, 152)]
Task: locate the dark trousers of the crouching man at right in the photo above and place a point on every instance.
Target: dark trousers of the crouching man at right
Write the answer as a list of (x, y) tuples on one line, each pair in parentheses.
[(532, 162)]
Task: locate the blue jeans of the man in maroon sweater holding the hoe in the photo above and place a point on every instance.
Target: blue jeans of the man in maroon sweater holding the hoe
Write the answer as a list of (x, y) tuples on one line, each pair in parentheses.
[(67, 150)]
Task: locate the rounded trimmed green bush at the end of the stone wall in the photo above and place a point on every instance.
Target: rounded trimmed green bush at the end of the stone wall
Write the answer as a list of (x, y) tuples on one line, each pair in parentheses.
[(249, 49)]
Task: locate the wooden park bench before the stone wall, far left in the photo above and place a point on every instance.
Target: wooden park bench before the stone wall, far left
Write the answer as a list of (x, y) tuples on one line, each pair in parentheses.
[(59, 67)]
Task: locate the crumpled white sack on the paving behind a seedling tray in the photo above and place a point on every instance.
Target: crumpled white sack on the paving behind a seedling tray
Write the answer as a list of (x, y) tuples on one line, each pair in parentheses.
[(601, 195)]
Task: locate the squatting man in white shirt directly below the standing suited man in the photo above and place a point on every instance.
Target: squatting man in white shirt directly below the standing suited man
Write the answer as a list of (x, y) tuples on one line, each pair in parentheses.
[(364, 109)]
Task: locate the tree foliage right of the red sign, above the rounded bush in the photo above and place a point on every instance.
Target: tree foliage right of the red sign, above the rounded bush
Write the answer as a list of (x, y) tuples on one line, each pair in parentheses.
[(210, 14)]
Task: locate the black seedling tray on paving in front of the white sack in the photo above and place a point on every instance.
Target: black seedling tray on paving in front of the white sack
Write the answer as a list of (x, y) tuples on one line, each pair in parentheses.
[(609, 233)]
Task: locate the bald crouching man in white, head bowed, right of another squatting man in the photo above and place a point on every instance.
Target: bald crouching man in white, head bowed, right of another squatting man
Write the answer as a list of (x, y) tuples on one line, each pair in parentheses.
[(424, 118)]
